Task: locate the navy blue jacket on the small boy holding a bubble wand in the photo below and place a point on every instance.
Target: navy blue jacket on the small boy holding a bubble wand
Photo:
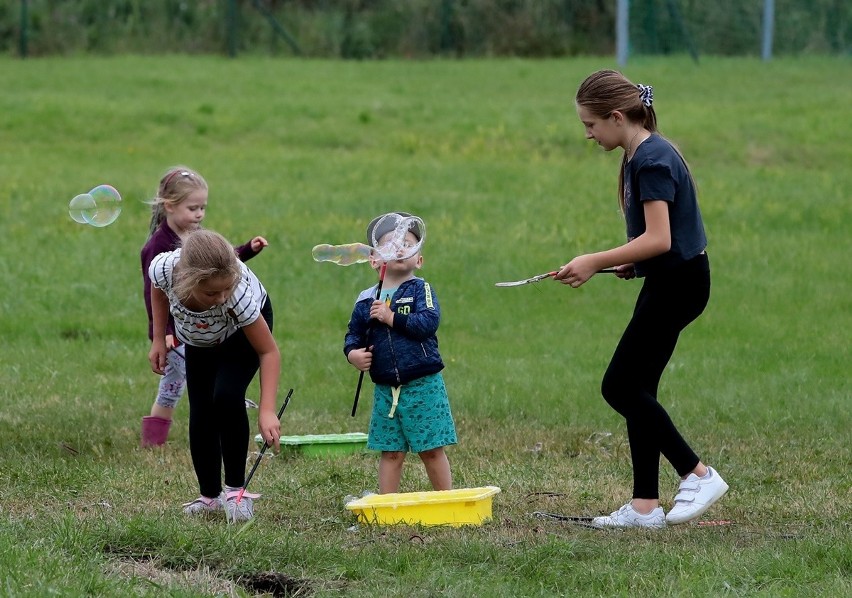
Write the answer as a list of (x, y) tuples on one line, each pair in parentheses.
[(407, 351)]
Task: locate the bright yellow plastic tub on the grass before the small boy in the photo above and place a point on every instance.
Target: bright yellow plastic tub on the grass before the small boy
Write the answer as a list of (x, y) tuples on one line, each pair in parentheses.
[(462, 506)]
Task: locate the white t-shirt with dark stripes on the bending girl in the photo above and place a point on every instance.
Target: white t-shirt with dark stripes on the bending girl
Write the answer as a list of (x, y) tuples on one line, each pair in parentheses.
[(210, 327)]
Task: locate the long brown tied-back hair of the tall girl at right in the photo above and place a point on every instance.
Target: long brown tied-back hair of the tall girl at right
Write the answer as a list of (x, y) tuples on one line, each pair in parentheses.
[(603, 92)]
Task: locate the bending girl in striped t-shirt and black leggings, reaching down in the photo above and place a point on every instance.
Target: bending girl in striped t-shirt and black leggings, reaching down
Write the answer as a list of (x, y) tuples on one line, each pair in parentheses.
[(223, 315)]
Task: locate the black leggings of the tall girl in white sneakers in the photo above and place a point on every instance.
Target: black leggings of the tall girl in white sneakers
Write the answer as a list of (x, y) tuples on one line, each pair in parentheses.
[(667, 302)]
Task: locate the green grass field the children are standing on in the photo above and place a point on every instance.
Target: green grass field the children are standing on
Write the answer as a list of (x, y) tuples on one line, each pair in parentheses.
[(491, 155)]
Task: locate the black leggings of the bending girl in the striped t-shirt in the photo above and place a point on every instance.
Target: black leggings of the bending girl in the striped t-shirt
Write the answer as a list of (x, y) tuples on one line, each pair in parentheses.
[(217, 379)]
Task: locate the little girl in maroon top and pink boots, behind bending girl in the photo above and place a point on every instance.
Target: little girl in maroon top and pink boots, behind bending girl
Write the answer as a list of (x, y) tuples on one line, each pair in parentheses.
[(178, 208)]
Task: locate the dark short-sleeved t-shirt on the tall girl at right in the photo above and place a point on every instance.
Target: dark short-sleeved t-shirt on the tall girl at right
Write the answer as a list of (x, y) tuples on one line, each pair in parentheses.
[(657, 172)]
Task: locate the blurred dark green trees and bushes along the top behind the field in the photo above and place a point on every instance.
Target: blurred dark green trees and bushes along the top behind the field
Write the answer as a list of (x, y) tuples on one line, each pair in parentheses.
[(365, 29)]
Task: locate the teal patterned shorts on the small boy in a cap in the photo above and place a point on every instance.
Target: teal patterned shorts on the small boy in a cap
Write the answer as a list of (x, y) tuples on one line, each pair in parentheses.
[(420, 420)]
